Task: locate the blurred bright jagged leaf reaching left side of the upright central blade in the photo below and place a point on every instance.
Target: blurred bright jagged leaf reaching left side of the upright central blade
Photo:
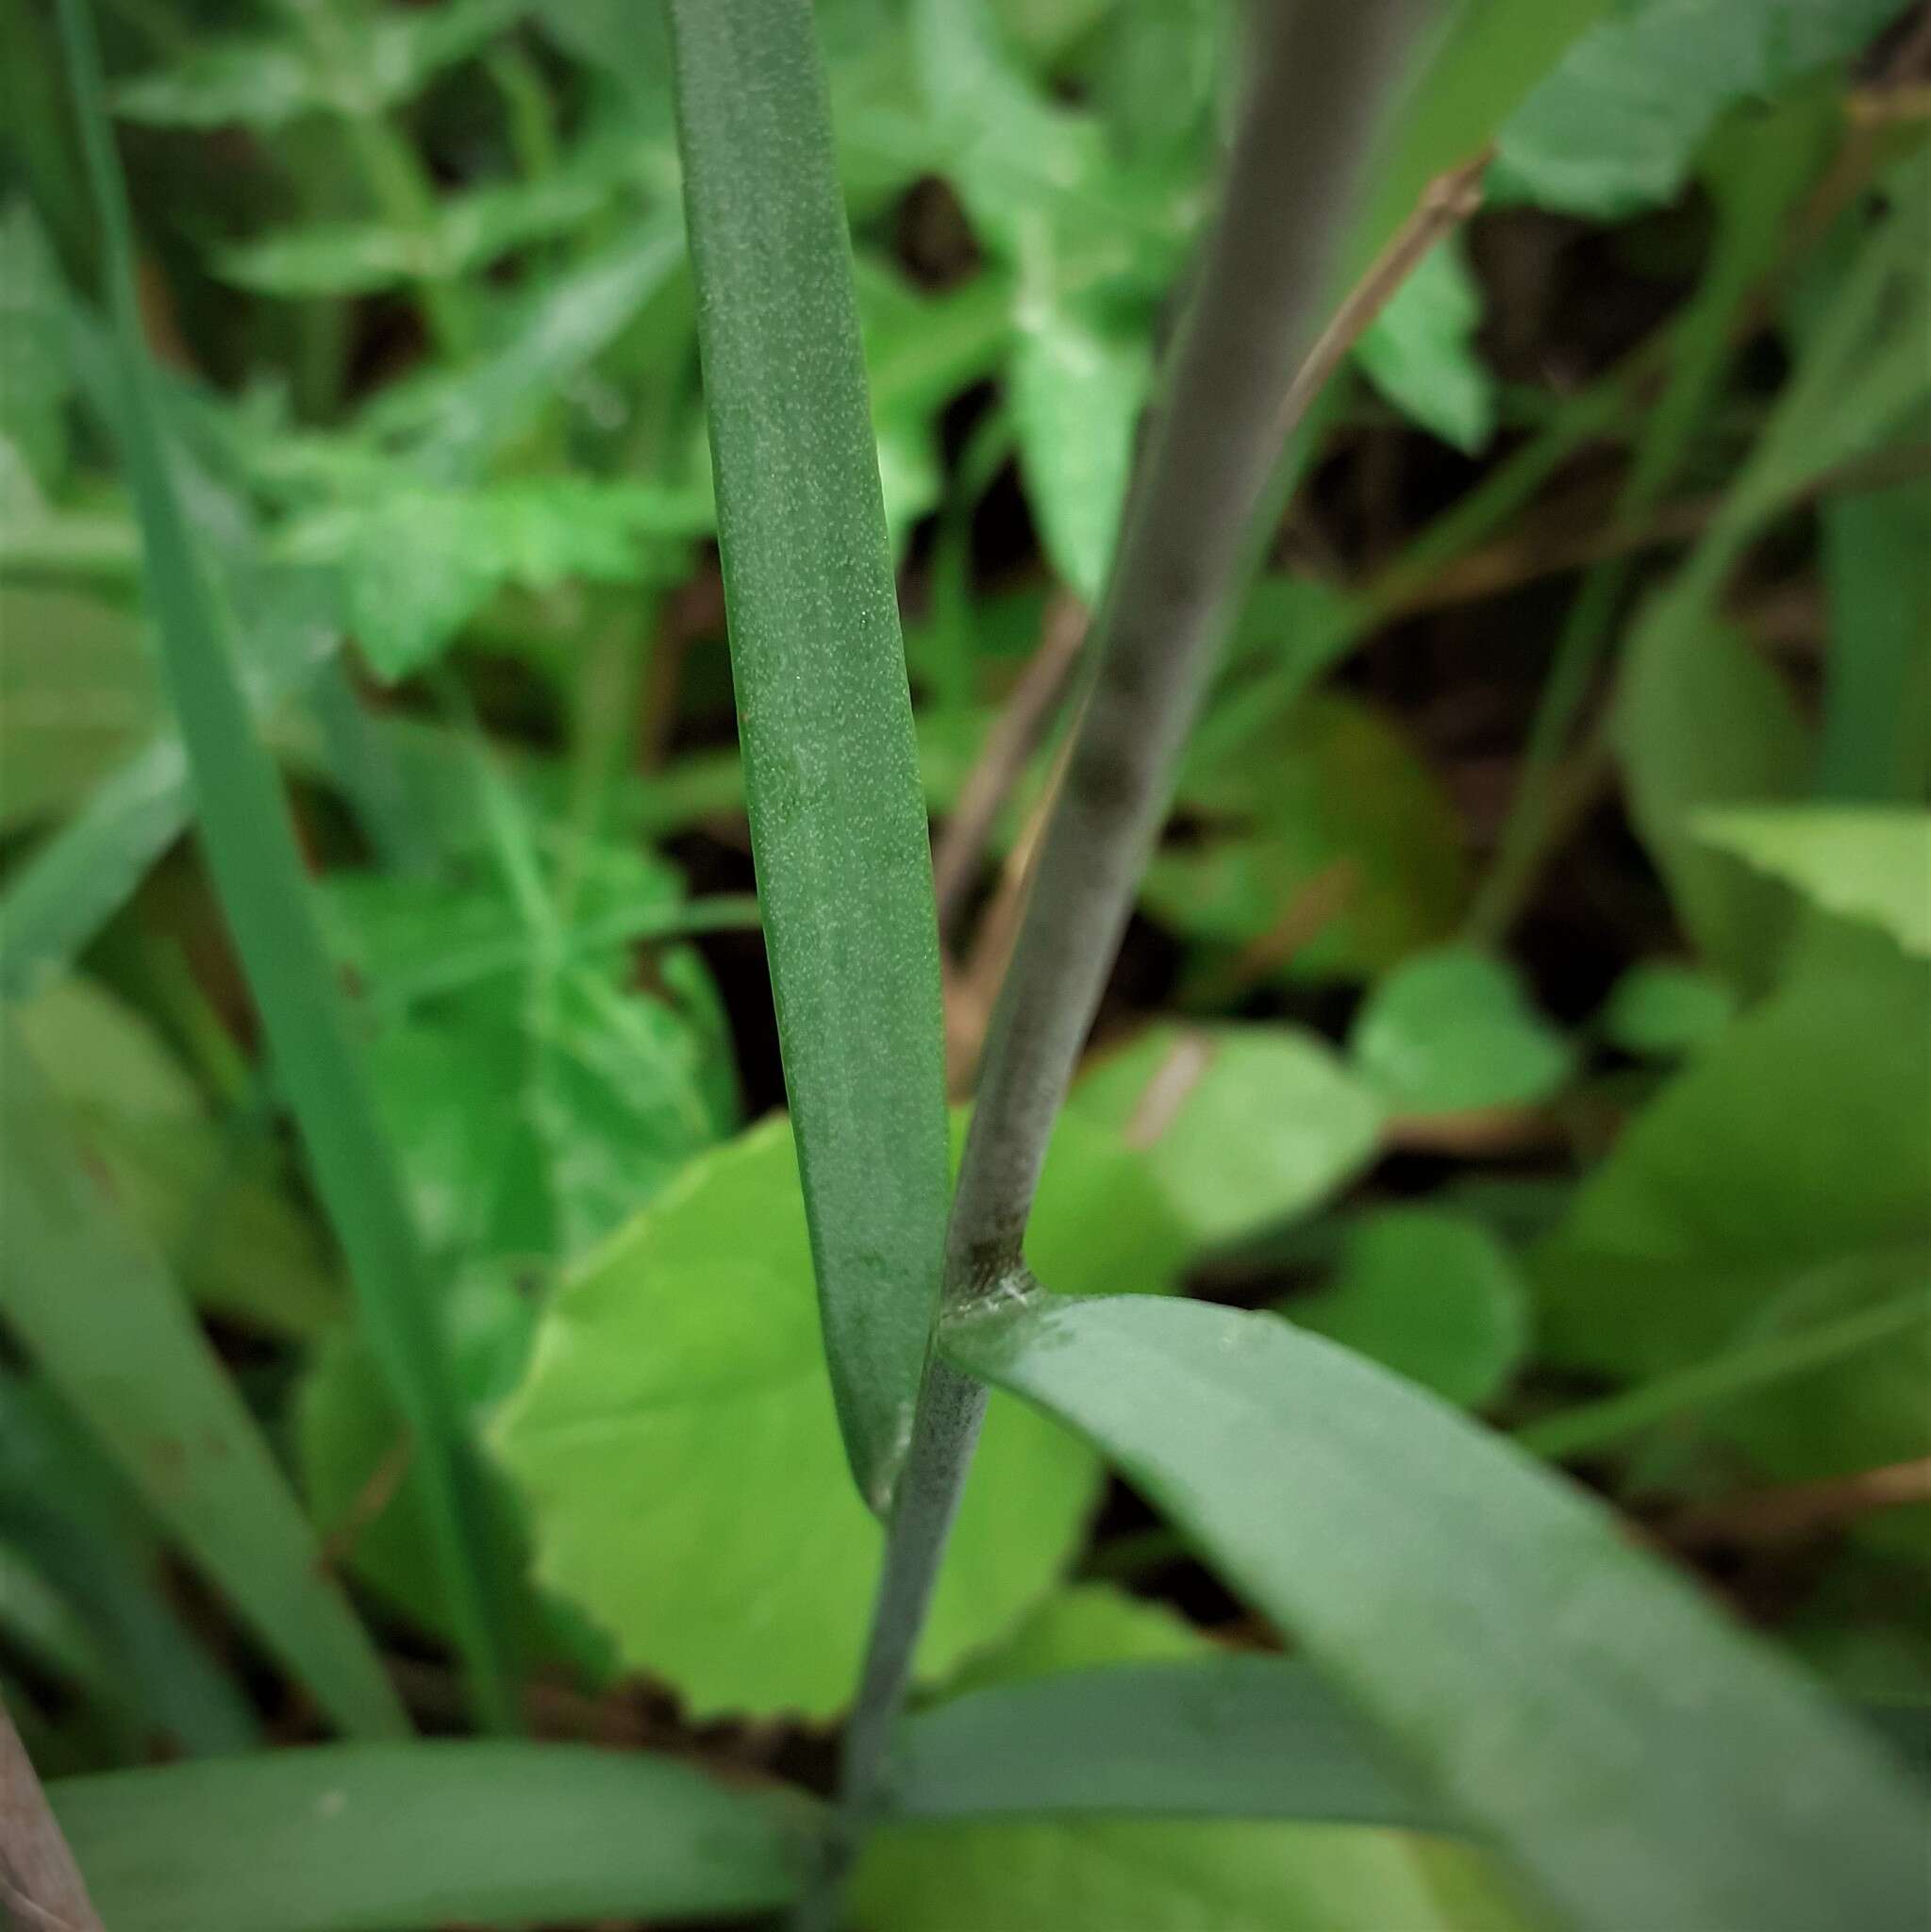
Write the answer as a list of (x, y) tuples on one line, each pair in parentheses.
[(418, 563)]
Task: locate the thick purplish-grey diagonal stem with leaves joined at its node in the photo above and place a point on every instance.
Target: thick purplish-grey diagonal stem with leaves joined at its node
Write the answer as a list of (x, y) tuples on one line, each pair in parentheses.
[(1318, 82)]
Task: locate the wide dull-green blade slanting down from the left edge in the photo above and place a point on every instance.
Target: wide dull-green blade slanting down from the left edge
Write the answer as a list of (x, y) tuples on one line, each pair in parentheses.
[(117, 1340)]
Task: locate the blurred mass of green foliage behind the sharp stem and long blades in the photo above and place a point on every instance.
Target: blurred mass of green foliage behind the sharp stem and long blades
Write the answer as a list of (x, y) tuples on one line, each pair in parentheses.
[(1530, 988)]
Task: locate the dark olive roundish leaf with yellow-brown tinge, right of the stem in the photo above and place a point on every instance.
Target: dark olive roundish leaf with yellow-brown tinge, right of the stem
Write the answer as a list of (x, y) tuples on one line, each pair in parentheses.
[(1331, 805)]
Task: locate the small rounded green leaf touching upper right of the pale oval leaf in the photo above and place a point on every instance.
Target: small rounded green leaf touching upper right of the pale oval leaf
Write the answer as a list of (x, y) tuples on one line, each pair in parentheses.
[(1455, 1033)]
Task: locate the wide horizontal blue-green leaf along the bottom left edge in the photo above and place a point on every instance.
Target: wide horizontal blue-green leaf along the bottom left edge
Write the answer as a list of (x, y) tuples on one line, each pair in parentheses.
[(410, 1838)]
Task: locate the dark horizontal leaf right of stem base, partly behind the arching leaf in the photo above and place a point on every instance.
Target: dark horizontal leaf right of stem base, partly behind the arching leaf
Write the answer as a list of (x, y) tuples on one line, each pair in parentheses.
[(1210, 1738)]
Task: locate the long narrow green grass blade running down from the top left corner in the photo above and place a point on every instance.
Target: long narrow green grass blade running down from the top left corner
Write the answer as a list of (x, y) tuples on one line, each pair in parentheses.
[(258, 874)]
